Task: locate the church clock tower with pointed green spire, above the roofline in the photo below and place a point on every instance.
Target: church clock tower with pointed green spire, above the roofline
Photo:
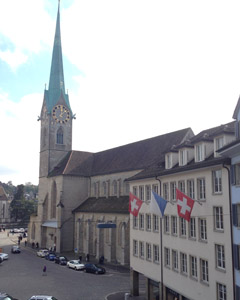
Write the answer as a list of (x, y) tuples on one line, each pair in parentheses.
[(56, 114)]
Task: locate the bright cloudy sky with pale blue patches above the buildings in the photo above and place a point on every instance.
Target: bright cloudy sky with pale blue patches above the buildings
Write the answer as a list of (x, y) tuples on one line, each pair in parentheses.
[(133, 69)]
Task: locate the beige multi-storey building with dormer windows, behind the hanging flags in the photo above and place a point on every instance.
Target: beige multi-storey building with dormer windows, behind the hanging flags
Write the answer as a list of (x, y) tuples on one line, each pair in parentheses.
[(180, 259)]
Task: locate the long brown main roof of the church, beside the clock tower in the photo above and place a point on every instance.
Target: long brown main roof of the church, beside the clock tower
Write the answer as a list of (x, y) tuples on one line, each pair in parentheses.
[(134, 156)]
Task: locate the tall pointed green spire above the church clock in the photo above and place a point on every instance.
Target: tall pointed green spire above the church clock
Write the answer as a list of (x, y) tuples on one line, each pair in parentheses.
[(56, 81)]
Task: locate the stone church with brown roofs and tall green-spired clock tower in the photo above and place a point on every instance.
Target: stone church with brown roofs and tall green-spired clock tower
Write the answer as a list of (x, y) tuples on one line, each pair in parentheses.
[(83, 197)]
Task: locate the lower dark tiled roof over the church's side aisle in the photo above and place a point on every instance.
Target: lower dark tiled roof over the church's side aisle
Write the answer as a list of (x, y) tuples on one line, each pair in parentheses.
[(111, 205)]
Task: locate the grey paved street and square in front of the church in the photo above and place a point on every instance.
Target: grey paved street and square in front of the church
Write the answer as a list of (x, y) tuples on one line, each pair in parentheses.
[(21, 277)]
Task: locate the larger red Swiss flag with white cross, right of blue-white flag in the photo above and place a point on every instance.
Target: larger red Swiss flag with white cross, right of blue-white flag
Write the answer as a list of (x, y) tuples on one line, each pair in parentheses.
[(184, 205)]
